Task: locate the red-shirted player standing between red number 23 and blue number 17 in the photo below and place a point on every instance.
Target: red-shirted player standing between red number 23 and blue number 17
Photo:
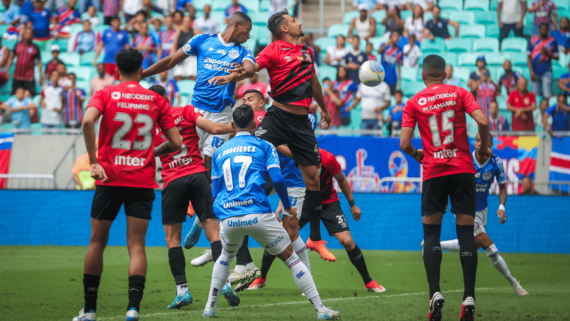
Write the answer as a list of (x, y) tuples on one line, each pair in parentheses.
[(185, 179)]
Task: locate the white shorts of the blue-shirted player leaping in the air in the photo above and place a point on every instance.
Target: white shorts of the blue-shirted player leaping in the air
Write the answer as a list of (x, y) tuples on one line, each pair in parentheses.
[(209, 143)]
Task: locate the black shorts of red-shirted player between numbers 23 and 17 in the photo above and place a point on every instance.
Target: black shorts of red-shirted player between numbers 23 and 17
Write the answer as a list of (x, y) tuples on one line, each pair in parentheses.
[(194, 188)]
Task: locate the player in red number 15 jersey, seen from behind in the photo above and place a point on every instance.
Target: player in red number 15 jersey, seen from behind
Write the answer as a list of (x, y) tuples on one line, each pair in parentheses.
[(439, 111)]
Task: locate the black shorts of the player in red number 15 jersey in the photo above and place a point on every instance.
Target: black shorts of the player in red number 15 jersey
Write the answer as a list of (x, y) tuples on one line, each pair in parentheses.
[(459, 187)]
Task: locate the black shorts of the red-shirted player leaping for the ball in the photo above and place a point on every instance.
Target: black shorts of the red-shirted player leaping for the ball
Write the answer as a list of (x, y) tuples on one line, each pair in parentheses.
[(280, 127)]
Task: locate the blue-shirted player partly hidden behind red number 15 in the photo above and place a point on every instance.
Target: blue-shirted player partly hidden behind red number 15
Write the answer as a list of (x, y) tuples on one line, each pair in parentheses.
[(487, 169)]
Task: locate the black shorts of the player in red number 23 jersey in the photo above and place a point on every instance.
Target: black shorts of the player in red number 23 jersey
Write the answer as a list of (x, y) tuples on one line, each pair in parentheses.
[(108, 201)]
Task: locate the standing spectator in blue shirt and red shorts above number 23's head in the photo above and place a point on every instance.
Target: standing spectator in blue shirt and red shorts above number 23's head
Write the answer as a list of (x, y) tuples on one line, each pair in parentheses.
[(114, 39)]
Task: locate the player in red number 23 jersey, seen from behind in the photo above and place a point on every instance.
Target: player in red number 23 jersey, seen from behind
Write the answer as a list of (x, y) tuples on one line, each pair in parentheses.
[(124, 169)]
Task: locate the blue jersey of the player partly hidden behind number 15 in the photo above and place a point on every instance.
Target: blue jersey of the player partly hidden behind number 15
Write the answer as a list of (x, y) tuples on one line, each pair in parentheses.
[(485, 176)]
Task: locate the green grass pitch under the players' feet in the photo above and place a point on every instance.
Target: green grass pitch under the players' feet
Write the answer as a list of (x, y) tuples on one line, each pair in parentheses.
[(45, 283)]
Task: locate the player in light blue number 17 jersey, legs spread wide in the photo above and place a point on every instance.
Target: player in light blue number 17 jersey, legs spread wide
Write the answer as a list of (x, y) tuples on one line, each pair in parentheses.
[(239, 168)]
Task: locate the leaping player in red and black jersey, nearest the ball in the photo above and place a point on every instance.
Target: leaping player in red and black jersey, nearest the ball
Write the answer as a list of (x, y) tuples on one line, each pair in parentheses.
[(294, 83)]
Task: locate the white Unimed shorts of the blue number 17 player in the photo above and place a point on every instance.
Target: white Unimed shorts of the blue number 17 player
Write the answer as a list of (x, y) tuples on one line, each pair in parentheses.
[(264, 228)]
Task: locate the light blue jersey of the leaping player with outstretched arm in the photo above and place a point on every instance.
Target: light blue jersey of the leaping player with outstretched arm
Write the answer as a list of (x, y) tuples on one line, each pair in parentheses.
[(215, 57)]
